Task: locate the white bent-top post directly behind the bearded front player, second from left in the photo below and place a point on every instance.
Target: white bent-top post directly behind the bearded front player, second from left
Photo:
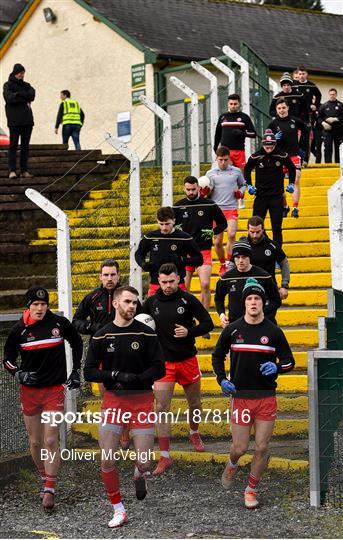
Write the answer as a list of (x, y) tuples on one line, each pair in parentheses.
[(134, 208)]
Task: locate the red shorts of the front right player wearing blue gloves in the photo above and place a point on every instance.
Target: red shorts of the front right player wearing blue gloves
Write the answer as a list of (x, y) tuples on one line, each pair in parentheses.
[(245, 411)]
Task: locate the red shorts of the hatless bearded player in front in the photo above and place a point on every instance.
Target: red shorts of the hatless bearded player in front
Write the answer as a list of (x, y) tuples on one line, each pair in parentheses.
[(137, 406)]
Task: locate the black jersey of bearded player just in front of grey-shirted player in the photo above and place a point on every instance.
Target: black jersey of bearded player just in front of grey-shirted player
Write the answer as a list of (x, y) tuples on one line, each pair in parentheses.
[(196, 217)]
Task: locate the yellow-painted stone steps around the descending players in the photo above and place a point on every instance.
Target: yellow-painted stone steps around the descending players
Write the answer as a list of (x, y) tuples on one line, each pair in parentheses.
[(306, 243)]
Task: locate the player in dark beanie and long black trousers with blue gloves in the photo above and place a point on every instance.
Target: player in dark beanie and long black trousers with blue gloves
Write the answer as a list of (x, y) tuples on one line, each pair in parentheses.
[(270, 165)]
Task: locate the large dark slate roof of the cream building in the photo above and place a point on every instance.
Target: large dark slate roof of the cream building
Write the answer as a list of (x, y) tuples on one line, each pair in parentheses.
[(197, 29)]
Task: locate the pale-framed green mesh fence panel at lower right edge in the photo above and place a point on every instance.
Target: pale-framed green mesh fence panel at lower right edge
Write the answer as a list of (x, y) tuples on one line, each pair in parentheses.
[(325, 373)]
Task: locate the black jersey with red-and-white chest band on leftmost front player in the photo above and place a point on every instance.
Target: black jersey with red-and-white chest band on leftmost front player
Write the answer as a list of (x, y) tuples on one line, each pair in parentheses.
[(41, 347)]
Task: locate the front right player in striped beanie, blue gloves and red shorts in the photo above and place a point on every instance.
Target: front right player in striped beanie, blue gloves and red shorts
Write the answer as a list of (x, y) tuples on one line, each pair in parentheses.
[(254, 344)]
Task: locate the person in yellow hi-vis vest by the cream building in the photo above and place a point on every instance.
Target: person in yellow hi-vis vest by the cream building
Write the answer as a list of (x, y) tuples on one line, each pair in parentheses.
[(71, 116)]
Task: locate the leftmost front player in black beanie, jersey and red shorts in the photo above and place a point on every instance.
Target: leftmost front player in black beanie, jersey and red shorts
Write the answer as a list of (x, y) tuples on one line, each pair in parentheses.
[(39, 338)]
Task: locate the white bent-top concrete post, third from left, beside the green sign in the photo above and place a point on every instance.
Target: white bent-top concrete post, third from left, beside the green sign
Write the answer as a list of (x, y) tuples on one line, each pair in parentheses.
[(167, 162)]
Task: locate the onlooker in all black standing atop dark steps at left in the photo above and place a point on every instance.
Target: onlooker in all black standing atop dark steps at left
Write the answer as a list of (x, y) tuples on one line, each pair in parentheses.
[(18, 96)]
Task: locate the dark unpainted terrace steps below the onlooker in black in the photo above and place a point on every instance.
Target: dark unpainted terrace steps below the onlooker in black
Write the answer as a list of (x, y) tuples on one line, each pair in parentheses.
[(62, 174)]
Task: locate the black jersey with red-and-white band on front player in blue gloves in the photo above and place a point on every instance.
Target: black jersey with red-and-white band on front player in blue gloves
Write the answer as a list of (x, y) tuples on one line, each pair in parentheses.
[(250, 346)]
